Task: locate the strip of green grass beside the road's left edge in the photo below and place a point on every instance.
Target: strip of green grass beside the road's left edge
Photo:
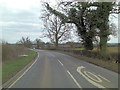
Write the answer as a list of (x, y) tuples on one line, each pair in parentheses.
[(12, 67)]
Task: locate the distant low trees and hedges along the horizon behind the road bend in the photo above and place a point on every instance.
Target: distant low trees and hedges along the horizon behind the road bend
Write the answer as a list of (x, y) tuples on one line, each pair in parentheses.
[(39, 44)]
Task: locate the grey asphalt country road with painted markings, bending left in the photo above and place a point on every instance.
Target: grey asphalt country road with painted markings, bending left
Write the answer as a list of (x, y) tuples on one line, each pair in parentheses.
[(56, 70)]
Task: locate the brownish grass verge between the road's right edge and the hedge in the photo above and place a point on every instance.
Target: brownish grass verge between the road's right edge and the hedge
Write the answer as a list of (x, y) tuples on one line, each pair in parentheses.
[(110, 65)]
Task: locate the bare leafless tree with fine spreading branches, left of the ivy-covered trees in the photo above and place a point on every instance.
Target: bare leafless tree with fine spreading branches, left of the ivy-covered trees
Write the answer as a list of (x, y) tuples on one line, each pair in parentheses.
[(55, 29)]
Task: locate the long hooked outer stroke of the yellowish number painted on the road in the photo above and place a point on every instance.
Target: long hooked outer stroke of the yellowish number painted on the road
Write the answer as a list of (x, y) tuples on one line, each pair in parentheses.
[(89, 80)]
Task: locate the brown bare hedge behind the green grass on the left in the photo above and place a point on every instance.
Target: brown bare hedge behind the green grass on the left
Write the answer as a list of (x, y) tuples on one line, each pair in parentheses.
[(12, 52)]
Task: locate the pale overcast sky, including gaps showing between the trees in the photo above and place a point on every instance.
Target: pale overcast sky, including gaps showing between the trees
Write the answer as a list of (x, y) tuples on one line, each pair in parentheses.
[(21, 18)]
